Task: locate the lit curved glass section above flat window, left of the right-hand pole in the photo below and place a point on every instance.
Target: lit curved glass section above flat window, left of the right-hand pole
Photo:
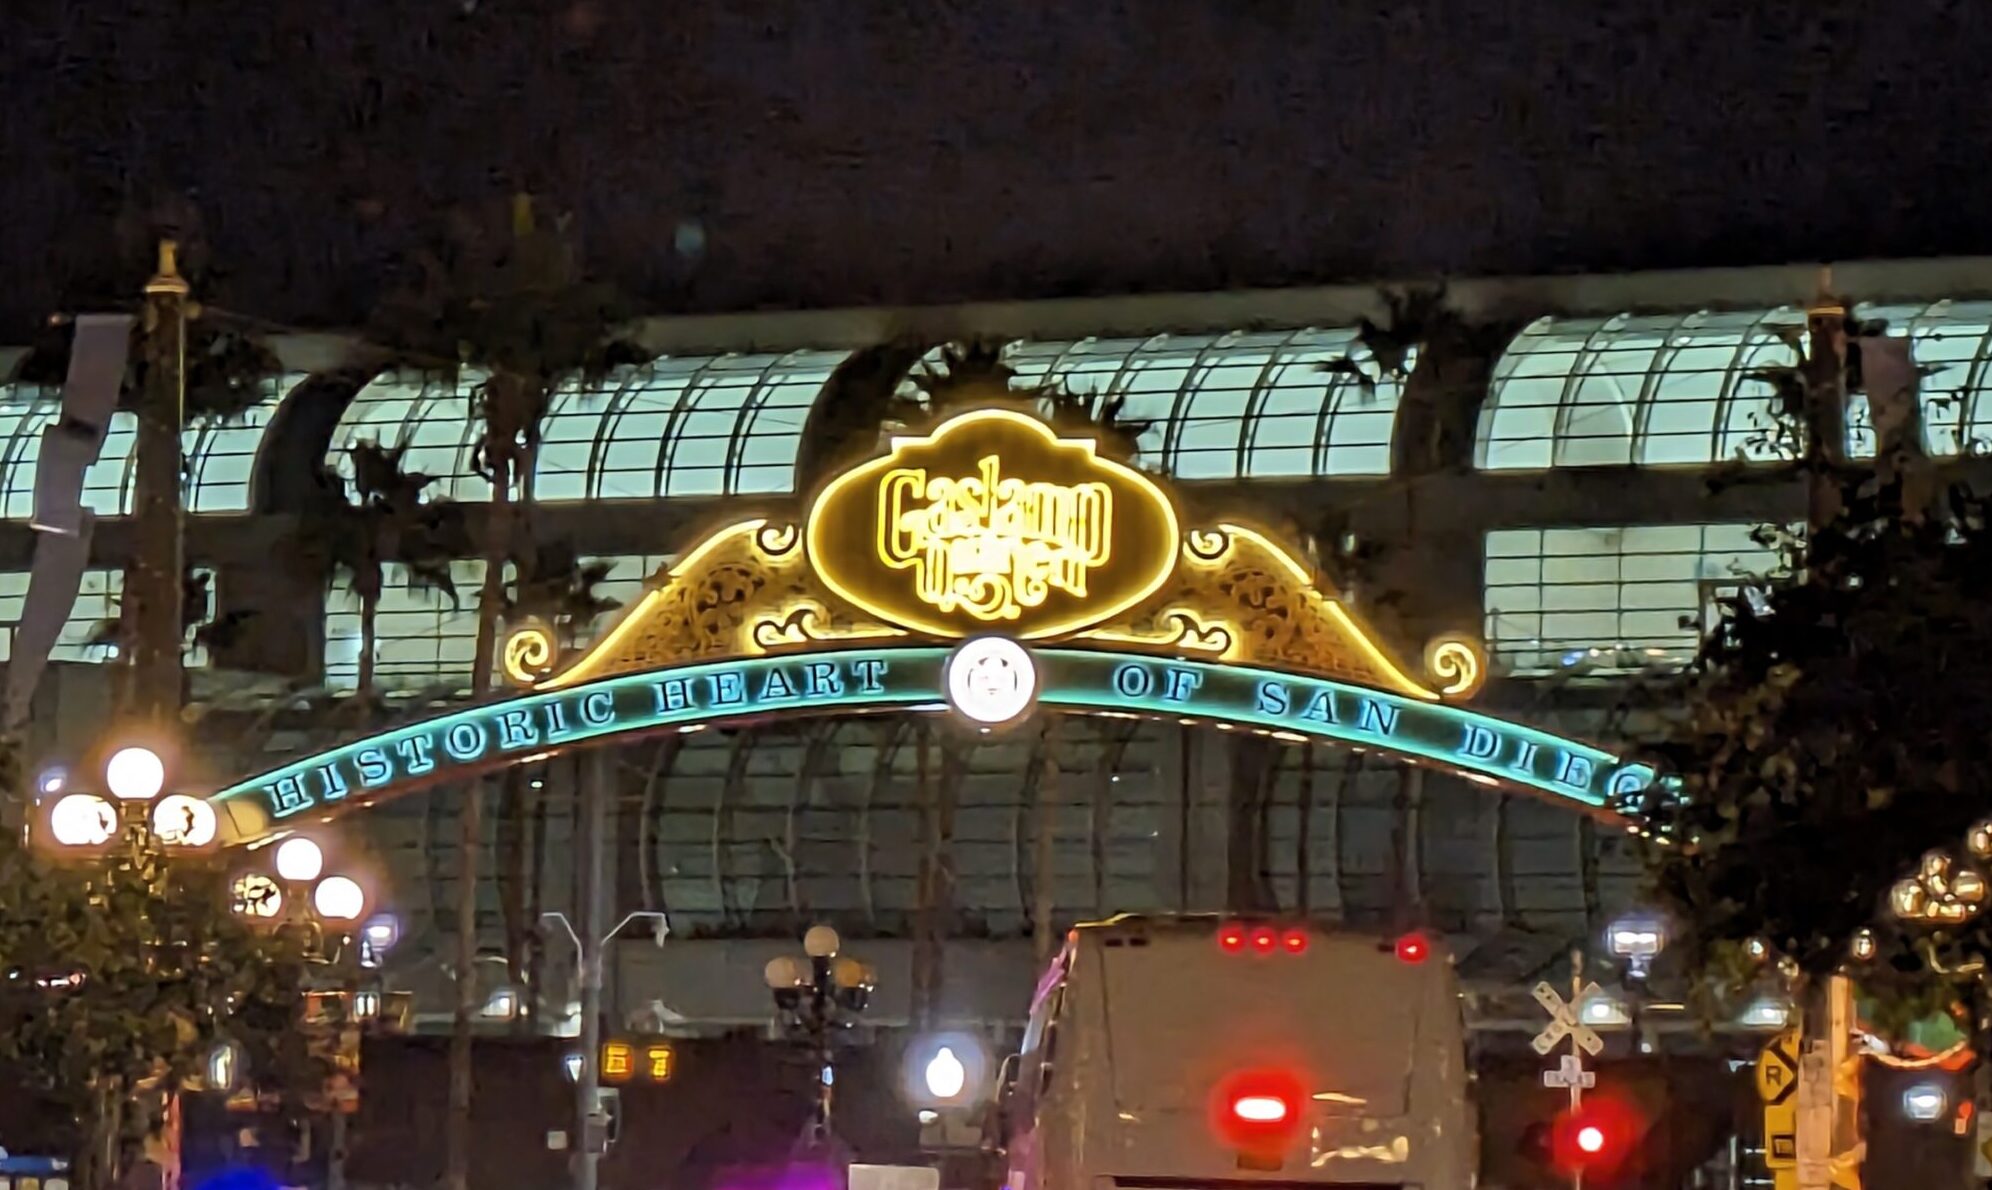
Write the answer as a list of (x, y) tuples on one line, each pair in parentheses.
[(1636, 390)]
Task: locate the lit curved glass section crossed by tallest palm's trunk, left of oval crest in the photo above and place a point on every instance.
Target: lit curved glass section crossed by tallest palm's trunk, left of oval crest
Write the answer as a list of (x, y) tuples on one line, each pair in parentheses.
[(720, 426)]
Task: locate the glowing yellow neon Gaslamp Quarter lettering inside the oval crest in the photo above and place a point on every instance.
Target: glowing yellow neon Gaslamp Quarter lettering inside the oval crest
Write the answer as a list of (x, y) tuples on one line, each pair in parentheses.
[(993, 545)]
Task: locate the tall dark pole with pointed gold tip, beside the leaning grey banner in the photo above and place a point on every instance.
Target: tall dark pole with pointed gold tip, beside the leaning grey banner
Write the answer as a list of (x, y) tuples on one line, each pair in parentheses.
[(154, 577)]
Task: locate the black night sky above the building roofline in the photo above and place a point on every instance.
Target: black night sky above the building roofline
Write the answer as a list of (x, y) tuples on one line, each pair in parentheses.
[(830, 152)]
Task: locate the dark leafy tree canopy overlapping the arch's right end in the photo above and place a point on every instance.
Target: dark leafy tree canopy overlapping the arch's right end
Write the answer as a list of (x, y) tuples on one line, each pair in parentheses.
[(1834, 735)]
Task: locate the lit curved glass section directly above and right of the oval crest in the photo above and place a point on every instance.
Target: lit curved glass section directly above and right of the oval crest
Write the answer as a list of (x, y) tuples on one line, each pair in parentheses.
[(1238, 406)]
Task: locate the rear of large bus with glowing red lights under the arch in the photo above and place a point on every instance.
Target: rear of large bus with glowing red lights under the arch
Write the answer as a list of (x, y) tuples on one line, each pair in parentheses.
[(1186, 1053)]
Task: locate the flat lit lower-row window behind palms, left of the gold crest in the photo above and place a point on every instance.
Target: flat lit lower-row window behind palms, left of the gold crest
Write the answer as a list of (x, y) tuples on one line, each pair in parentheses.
[(425, 641)]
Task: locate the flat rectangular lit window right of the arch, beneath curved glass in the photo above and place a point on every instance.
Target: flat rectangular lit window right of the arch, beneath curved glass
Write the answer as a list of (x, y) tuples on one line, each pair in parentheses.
[(1609, 601)]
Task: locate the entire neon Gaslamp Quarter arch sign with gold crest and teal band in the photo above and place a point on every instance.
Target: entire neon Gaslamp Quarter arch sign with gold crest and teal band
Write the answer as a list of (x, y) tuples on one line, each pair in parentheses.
[(985, 563)]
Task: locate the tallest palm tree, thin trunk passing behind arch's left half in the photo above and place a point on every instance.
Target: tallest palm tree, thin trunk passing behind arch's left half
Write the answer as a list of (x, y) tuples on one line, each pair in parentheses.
[(509, 302)]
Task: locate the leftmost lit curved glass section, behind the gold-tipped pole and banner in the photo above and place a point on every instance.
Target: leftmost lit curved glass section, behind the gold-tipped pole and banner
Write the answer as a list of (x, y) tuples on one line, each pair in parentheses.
[(220, 455)]
